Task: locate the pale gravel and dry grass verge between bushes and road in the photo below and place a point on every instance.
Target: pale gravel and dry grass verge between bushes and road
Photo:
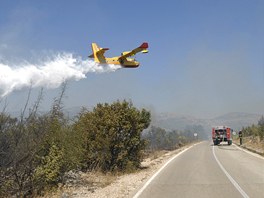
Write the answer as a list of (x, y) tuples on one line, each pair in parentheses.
[(95, 185)]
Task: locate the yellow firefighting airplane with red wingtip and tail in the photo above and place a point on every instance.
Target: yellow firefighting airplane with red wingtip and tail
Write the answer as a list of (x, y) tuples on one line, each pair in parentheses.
[(123, 60)]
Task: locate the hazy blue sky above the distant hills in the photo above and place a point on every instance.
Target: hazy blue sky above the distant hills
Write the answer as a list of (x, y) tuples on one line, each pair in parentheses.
[(206, 57)]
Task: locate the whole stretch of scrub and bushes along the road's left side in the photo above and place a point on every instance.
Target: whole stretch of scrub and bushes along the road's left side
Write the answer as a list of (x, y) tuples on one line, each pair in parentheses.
[(36, 150)]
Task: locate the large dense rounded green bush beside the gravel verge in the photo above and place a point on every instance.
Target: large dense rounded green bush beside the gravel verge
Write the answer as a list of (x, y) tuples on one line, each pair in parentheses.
[(112, 136)]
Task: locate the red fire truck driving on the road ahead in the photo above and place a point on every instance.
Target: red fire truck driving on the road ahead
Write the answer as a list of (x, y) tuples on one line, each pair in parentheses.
[(222, 134)]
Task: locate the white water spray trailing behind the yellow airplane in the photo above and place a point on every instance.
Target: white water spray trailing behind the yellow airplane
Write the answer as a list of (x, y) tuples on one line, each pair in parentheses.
[(50, 74)]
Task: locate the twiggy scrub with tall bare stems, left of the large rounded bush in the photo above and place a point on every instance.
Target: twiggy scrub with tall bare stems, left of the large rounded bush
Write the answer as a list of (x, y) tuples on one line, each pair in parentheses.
[(35, 150)]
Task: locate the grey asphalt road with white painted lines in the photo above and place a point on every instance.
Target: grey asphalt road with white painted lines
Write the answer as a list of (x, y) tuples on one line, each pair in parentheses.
[(209, 171)]
